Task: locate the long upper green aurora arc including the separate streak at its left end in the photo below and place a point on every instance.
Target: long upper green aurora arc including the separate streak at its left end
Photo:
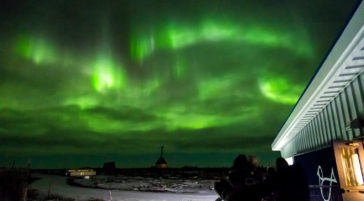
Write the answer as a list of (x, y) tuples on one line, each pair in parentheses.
[(179, 36)]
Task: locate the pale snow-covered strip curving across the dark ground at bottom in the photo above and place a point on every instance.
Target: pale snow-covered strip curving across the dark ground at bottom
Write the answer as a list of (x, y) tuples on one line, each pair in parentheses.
[(57, 185)]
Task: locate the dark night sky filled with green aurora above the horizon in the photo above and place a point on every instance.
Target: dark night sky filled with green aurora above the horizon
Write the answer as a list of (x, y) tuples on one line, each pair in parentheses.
[(86, 82)]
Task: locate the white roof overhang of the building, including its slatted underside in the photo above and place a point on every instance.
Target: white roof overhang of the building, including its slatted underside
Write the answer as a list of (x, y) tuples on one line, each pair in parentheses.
[(343, 64)]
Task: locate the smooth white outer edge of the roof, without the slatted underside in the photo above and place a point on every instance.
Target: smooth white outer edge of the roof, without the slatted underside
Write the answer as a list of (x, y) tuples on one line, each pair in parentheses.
[(341, 48)]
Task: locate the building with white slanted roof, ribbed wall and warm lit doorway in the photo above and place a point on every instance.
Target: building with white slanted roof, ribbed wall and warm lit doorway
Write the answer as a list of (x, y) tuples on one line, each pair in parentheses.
[(324, 133)]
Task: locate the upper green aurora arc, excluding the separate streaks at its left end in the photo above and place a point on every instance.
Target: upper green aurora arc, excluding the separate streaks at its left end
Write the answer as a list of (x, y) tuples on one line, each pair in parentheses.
[(214, 31)]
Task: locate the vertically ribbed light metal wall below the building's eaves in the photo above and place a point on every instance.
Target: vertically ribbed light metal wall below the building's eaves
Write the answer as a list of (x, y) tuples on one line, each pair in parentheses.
[(332, 122)]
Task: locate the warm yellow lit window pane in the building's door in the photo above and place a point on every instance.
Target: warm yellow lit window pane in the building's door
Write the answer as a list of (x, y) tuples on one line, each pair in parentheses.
[(351, 166)]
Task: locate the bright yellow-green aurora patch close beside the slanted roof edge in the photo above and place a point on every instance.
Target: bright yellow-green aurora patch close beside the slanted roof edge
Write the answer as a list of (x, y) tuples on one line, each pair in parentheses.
[(280, 90)]
